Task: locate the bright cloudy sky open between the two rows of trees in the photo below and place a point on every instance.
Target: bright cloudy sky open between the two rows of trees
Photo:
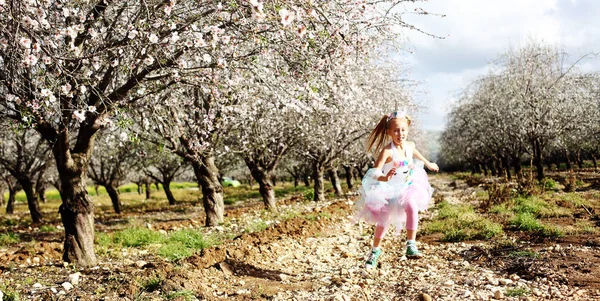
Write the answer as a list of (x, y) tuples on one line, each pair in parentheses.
[(475, 32)]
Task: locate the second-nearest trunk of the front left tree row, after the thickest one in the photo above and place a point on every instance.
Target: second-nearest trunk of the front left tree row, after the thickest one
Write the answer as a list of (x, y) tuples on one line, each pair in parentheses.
[(212, 191)]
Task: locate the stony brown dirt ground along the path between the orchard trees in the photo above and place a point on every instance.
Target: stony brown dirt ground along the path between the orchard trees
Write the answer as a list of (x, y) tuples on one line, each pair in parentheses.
[(313, 251)]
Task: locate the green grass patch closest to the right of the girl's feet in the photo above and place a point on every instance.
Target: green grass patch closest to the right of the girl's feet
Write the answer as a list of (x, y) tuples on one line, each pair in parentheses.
[(461, 222)]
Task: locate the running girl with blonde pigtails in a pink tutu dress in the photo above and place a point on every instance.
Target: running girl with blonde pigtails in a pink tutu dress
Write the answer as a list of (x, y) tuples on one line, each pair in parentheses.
[(397, 187)]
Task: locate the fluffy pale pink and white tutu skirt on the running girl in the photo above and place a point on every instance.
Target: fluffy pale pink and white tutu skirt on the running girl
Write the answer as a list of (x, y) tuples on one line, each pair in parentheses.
[(382, 203)]
